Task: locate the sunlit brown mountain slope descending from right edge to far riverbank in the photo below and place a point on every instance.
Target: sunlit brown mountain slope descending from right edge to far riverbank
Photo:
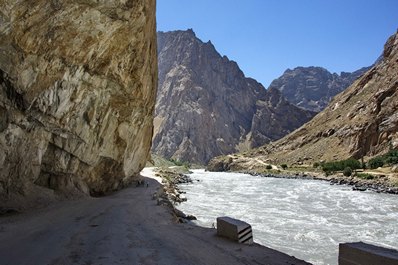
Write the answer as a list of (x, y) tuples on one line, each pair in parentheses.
[(361, 121)]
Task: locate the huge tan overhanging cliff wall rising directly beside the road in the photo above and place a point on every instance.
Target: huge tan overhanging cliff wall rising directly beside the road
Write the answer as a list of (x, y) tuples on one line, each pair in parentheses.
[(77, 92)]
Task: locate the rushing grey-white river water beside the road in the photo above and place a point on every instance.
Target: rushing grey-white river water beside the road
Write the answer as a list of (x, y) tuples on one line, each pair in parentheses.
[(304, 218)]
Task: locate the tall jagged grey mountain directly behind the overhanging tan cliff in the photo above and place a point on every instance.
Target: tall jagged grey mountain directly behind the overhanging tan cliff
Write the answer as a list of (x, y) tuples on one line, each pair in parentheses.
[(207, 107)]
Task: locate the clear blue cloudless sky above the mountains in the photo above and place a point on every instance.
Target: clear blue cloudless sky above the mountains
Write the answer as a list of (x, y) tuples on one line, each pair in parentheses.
[(265, 37)]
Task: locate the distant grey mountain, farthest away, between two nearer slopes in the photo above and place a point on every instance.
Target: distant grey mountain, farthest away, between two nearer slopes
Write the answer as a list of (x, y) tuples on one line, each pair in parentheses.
[(312, 88)]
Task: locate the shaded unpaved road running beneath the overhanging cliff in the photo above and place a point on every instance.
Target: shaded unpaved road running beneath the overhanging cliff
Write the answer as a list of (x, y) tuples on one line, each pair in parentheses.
[(127, 227)]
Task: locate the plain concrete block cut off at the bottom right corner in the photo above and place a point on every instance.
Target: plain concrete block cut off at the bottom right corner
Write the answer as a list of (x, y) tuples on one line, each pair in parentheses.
[(360, 253)]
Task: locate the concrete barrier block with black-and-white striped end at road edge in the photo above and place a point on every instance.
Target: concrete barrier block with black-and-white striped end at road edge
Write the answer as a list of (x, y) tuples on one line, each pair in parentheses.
[(234, 229)]
